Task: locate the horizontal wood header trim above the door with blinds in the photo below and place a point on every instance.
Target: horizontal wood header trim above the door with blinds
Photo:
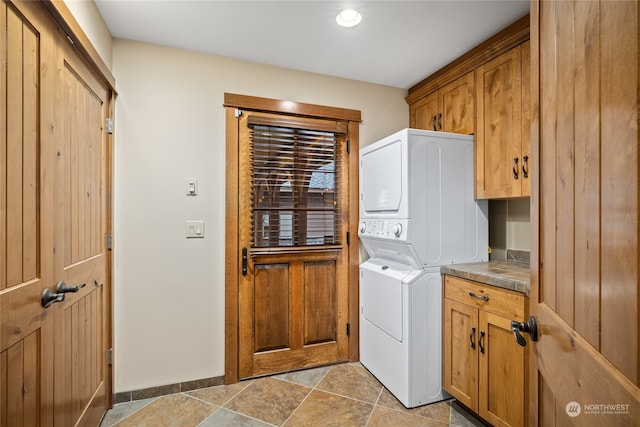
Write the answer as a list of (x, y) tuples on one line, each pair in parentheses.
[(289, 107)]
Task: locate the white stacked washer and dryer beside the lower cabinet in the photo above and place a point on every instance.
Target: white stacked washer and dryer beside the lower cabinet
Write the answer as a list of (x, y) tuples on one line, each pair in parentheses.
[(417, 212)]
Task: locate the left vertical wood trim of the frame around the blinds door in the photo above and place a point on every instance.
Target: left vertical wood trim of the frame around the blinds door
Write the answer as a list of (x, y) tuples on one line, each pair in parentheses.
[(232, 258)]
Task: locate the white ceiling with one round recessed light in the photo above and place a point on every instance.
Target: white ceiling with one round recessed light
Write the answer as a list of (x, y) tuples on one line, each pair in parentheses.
[(397, 44)]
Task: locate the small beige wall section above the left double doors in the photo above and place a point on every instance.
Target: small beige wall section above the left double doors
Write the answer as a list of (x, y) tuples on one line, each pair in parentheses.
[(89, 18)]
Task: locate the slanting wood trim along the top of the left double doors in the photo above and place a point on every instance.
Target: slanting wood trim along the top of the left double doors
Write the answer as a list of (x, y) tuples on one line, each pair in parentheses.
[(65, 19)]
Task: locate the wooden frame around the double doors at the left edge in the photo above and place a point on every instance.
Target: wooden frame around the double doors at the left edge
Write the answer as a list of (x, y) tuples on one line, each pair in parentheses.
[(64, 19)]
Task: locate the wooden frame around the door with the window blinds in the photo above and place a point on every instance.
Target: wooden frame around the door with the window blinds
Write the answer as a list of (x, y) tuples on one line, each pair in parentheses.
[(233, 102)]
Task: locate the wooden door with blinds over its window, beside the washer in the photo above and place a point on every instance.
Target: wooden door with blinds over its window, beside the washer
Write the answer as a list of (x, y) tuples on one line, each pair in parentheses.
[(293, 293)]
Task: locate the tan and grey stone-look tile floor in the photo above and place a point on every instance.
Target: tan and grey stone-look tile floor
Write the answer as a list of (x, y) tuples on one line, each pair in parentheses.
[(340, 395)]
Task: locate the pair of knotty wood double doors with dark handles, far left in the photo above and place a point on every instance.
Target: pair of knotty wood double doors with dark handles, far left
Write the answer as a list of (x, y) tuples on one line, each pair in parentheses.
[(54, 198)]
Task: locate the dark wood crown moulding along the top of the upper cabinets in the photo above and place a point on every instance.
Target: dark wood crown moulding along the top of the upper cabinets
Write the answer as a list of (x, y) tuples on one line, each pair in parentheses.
[(510, 37)]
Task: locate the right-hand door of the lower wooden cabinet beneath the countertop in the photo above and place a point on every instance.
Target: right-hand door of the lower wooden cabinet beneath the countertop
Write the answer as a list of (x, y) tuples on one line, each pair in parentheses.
[(501, 372)]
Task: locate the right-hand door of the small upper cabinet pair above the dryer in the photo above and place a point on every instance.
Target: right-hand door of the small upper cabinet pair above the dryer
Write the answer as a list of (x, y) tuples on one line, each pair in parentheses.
[(457, 106)]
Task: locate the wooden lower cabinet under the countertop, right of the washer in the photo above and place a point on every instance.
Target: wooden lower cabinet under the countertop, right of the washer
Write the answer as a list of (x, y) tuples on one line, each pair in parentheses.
[(483, 365)]
